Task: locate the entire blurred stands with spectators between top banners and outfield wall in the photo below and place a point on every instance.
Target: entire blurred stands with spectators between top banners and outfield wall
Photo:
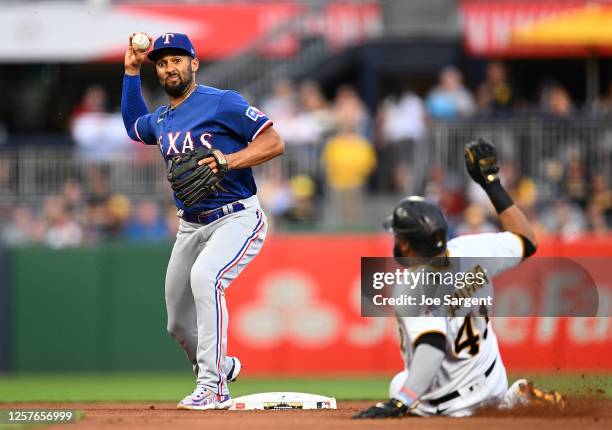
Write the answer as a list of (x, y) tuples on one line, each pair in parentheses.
[(358, 136)]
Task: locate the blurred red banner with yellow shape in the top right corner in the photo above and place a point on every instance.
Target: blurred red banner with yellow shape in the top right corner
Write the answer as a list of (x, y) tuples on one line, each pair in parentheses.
[(537, 29)]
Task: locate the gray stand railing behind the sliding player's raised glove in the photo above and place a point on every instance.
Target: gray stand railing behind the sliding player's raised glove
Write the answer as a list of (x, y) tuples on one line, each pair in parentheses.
[(540, 149)]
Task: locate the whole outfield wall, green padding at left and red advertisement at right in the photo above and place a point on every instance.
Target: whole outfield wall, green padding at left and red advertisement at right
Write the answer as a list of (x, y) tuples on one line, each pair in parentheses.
[(295, 310)]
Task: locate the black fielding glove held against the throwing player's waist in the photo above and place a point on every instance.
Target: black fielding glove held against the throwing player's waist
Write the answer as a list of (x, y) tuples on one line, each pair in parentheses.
[(191, 182)]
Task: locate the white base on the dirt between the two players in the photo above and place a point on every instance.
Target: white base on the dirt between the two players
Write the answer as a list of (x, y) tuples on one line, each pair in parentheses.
[(282, 401)]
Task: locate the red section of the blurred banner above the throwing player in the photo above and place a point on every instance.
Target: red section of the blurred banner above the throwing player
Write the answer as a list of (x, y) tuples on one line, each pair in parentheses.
[(221, 30)]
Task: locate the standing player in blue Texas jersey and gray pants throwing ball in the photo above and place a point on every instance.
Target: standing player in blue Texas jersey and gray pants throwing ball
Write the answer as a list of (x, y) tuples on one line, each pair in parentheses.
[(219, 234)]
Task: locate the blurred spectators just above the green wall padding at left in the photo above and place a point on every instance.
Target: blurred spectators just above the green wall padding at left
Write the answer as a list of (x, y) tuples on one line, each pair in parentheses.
[(75, 217)]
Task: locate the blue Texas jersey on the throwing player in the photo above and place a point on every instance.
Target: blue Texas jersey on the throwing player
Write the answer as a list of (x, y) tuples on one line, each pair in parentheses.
[(210, 117)]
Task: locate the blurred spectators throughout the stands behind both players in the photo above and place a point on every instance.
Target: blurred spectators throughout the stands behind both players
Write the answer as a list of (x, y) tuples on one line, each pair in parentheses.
[(338, 155)]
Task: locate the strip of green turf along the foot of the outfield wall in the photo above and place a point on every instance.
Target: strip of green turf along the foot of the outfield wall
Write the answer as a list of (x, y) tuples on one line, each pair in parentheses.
[(172, 387)]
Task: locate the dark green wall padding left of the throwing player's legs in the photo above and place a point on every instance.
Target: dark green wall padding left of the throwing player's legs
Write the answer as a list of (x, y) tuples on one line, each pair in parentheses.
[(99, 308)]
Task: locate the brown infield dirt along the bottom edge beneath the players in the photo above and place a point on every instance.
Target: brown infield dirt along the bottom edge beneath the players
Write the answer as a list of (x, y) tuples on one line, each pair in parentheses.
[(579, 414)]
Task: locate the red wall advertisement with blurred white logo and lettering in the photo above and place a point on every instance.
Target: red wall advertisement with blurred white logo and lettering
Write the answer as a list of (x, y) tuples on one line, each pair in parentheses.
[(297, 309)]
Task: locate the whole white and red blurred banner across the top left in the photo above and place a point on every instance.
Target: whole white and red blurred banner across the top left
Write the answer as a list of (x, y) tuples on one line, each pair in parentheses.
[(45, 31)]
